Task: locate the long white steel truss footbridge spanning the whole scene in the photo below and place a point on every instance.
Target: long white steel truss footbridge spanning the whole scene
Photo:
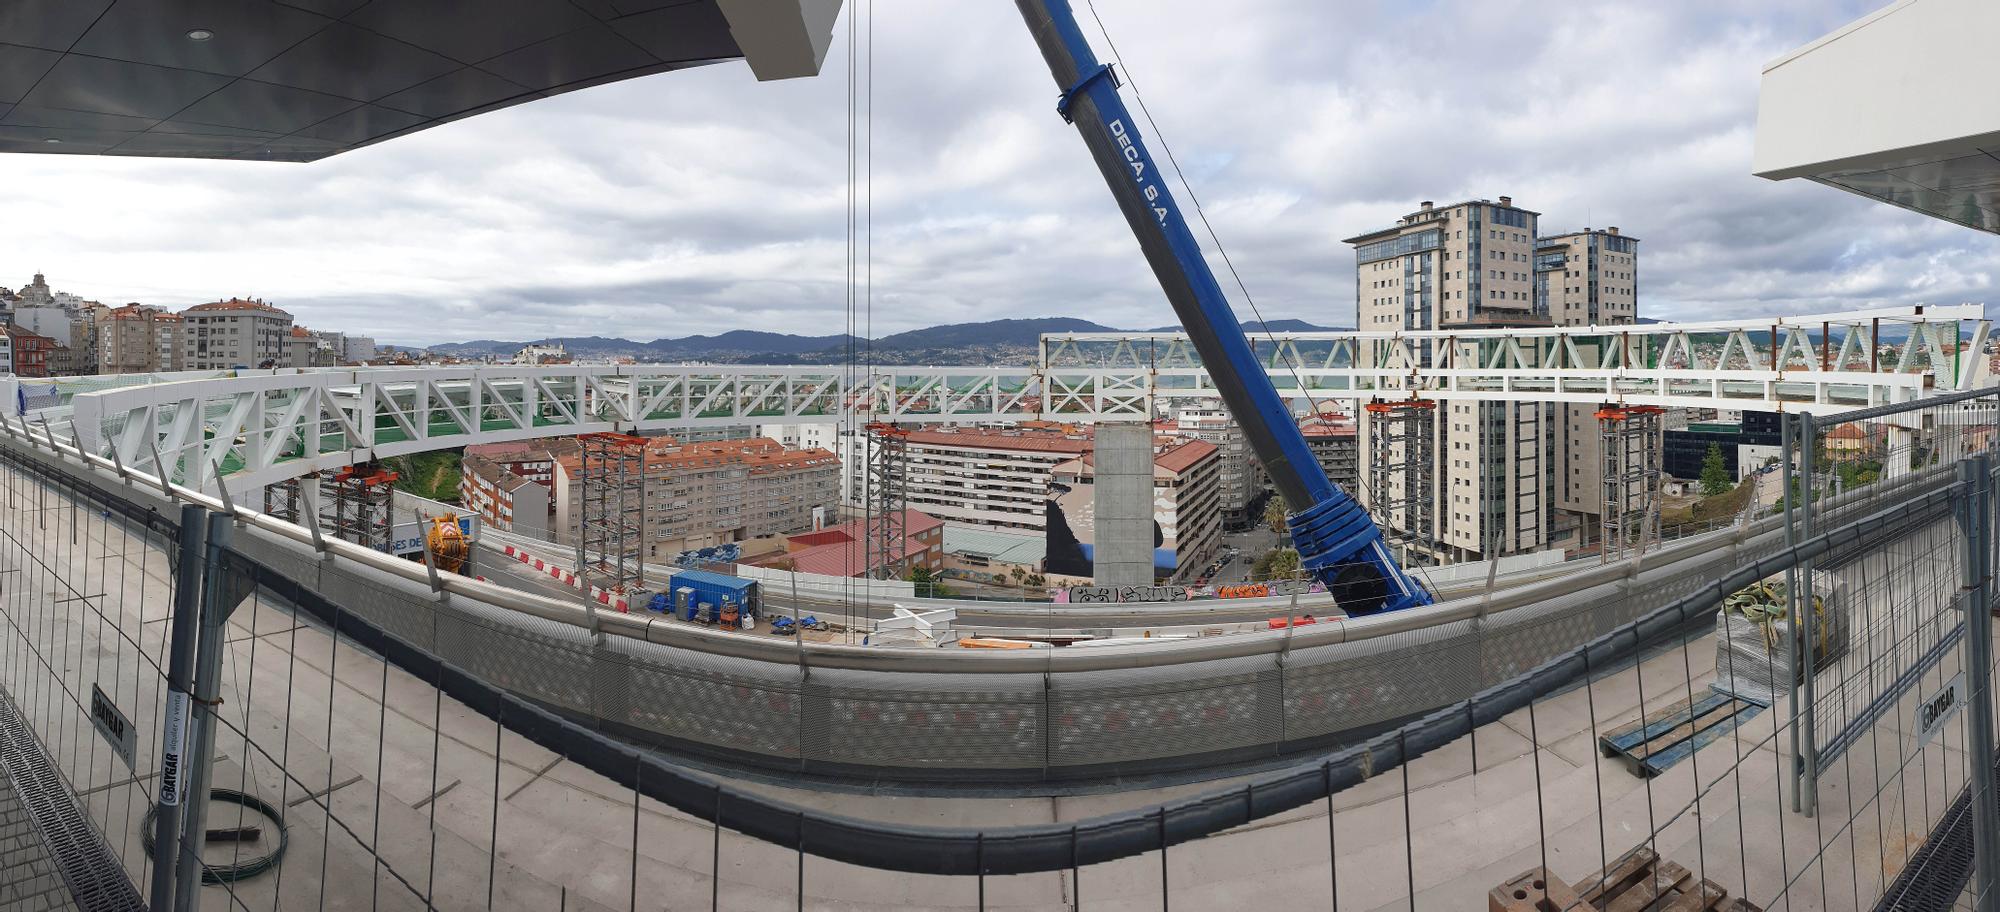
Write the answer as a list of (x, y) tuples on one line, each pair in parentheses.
[(263, 427)]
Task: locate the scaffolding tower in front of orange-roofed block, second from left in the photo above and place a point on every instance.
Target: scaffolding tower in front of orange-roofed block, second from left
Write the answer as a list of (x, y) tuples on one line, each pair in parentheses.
[(611, 545)]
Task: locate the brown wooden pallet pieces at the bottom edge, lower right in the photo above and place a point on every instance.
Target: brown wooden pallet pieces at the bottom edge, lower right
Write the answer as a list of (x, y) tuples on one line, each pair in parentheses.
[(1635, 883)]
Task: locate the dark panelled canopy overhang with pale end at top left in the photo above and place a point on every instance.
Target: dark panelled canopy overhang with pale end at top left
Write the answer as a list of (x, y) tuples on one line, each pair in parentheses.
[(307, 79)]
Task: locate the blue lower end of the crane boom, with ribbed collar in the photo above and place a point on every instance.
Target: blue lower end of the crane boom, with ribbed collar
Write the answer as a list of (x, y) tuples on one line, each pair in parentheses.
[(1341, 545)]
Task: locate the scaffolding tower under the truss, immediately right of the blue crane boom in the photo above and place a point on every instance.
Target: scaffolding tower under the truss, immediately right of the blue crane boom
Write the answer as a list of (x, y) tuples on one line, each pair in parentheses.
[(1403, 473)]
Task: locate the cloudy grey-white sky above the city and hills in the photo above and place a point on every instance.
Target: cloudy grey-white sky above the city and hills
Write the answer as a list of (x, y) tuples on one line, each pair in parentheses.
[(705, 201)]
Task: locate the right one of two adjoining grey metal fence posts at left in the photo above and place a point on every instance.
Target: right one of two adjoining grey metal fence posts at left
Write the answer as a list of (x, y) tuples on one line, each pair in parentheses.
[(215, 615)]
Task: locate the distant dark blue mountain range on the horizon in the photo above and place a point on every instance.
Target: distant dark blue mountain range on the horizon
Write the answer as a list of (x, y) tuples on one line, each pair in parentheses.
[(975, 343)]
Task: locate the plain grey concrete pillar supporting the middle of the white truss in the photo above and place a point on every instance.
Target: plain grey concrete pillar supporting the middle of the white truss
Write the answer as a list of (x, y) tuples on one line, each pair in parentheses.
[(1123, 505)]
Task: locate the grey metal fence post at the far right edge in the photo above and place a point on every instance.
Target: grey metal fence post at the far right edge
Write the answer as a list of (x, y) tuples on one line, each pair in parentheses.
[(1975, 575)]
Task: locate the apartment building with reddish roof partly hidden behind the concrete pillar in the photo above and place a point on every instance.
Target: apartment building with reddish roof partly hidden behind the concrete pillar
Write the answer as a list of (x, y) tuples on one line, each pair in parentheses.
[(1187, 503)]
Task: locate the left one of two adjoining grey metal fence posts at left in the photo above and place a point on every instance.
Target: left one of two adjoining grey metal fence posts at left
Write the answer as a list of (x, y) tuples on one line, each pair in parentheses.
[(175, 733)]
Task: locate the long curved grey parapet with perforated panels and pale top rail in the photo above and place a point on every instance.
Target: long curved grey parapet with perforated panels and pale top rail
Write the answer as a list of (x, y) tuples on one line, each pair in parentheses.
[(953, 715)]
